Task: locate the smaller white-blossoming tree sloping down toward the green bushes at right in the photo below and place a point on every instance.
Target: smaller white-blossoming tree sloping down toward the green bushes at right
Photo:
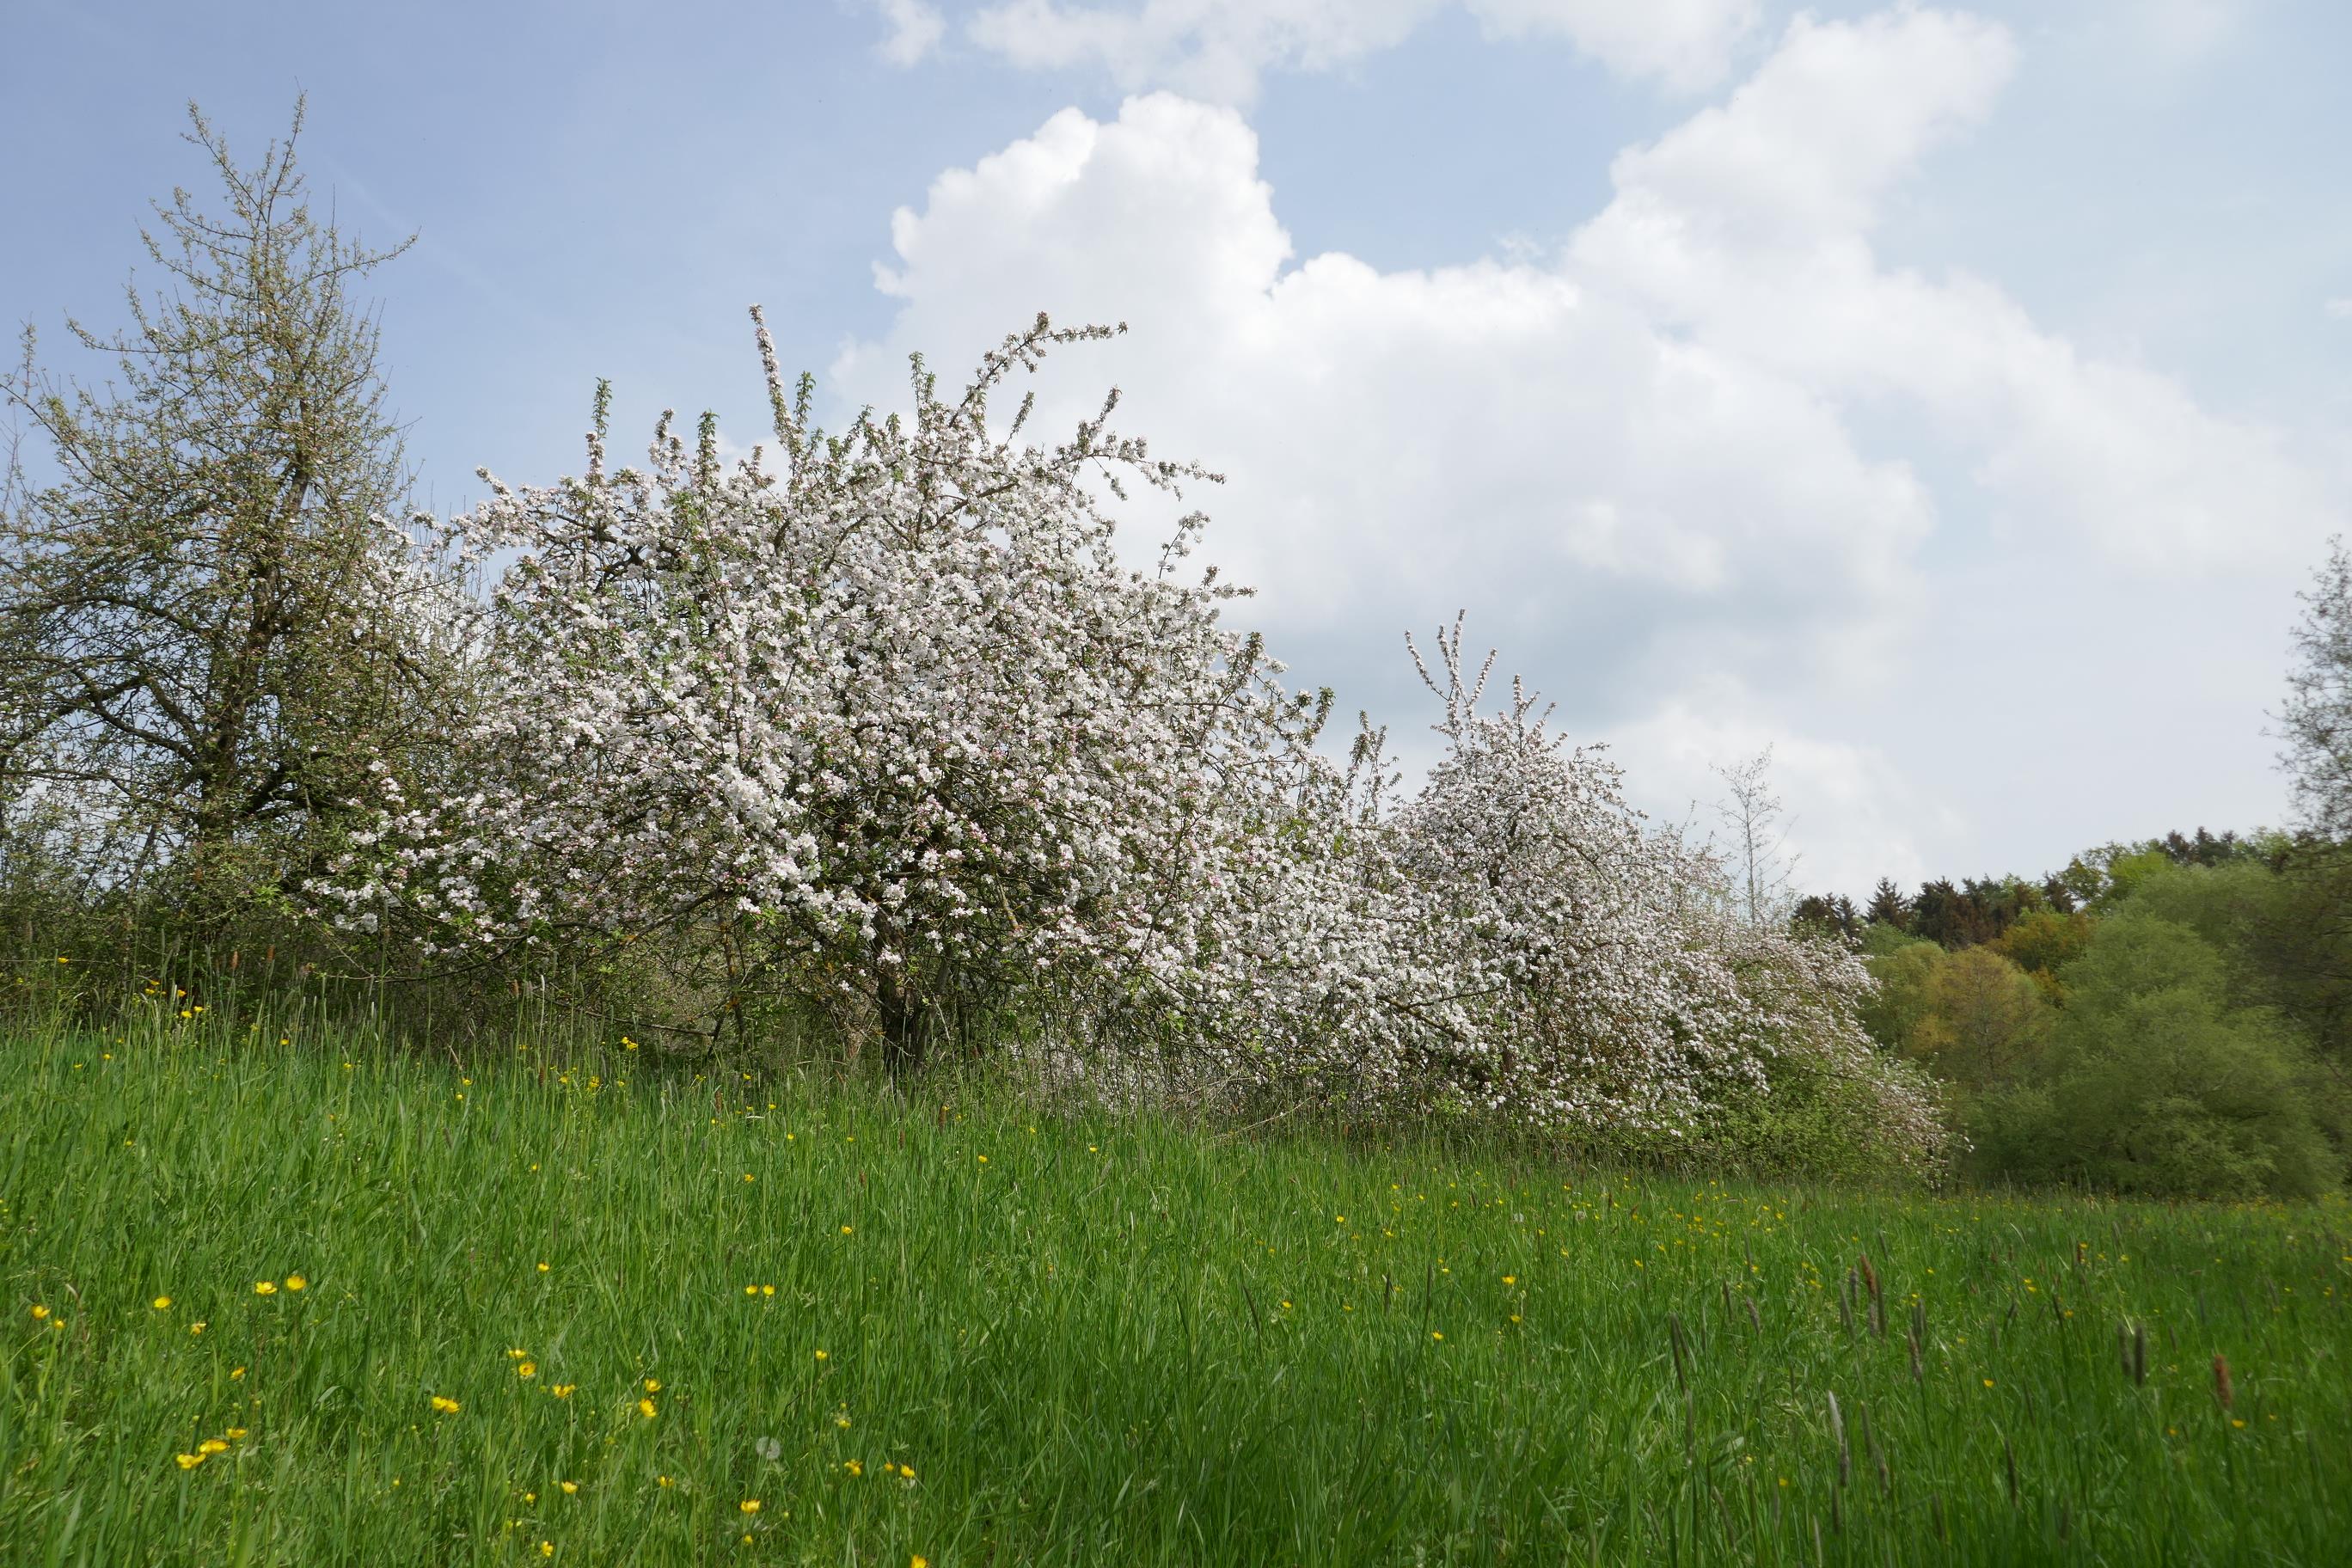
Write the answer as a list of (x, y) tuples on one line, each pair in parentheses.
[(1516, 942)]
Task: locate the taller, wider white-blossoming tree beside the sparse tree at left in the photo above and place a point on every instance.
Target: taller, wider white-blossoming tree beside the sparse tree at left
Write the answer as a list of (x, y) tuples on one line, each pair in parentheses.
[(881, 718)]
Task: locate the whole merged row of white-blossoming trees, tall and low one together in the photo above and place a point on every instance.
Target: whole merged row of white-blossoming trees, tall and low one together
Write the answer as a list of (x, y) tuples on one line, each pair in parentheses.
[(881, 721)]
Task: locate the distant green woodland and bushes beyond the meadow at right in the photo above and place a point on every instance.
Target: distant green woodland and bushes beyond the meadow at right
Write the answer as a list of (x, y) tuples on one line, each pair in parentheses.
[(2165, 1017)]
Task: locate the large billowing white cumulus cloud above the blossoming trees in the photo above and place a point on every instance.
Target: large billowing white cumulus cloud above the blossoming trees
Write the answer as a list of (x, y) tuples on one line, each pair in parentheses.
[(1655, 464)]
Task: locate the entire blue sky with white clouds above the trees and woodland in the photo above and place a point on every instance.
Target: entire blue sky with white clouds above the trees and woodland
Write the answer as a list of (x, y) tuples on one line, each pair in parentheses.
[(1946, 396)]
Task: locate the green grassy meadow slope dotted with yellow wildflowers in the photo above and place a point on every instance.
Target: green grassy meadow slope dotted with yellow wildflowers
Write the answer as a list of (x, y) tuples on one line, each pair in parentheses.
[(288, 1301)]
